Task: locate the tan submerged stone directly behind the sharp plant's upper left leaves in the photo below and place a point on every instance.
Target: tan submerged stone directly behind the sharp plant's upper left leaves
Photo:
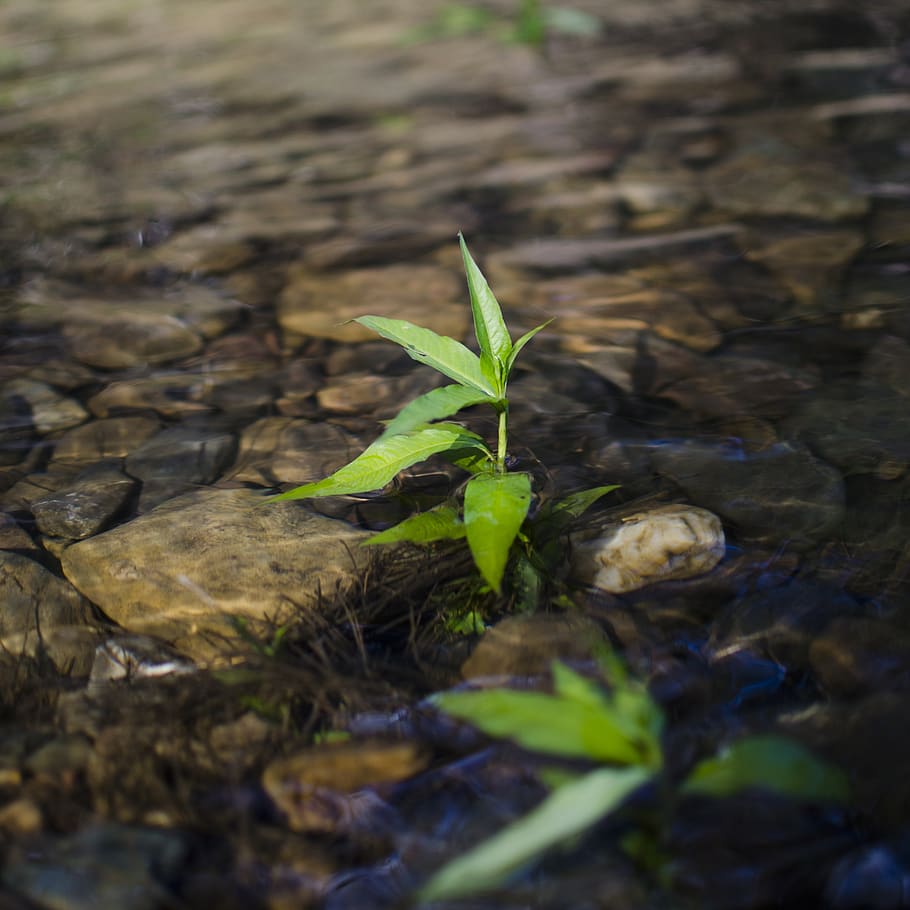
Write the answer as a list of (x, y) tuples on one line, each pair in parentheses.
[(318, 306)]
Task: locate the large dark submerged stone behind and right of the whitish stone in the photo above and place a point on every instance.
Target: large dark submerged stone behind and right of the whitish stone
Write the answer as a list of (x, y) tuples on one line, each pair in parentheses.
[(780, 494)]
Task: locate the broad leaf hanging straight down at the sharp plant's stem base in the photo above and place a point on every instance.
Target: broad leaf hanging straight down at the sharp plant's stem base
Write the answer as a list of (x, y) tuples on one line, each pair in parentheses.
[(495, 505)]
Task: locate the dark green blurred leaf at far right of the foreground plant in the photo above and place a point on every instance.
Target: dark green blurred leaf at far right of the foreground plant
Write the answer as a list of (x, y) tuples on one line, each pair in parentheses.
[(770, 763)]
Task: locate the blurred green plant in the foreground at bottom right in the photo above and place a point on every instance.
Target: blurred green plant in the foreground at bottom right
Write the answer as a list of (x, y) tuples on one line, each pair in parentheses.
[(620, 728)]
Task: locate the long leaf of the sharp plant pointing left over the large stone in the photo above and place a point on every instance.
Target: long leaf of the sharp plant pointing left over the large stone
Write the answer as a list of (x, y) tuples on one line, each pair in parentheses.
[(379, 463)]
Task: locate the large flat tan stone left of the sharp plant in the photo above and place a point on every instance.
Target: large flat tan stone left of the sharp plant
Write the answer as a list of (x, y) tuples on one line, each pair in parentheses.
[(189, 565)]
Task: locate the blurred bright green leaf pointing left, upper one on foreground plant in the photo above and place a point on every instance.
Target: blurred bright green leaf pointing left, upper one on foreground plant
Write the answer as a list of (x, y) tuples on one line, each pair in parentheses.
[(545, 723)]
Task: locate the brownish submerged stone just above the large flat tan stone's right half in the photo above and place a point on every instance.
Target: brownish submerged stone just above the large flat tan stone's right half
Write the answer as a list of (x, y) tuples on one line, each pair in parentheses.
[(276, 450)]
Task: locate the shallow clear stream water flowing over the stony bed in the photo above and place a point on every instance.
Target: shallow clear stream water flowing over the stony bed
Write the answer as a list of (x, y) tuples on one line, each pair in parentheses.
[(710, 199)]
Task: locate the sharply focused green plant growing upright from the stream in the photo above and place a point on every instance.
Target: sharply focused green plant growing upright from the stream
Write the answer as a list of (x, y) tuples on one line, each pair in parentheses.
[(495, 501)]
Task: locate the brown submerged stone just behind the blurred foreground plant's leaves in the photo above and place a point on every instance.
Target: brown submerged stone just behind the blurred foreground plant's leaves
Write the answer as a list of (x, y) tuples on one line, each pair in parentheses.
[(527, 645)]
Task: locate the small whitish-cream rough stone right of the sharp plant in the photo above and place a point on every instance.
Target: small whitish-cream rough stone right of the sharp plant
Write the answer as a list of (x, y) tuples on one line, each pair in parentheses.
[(670, 542)]
